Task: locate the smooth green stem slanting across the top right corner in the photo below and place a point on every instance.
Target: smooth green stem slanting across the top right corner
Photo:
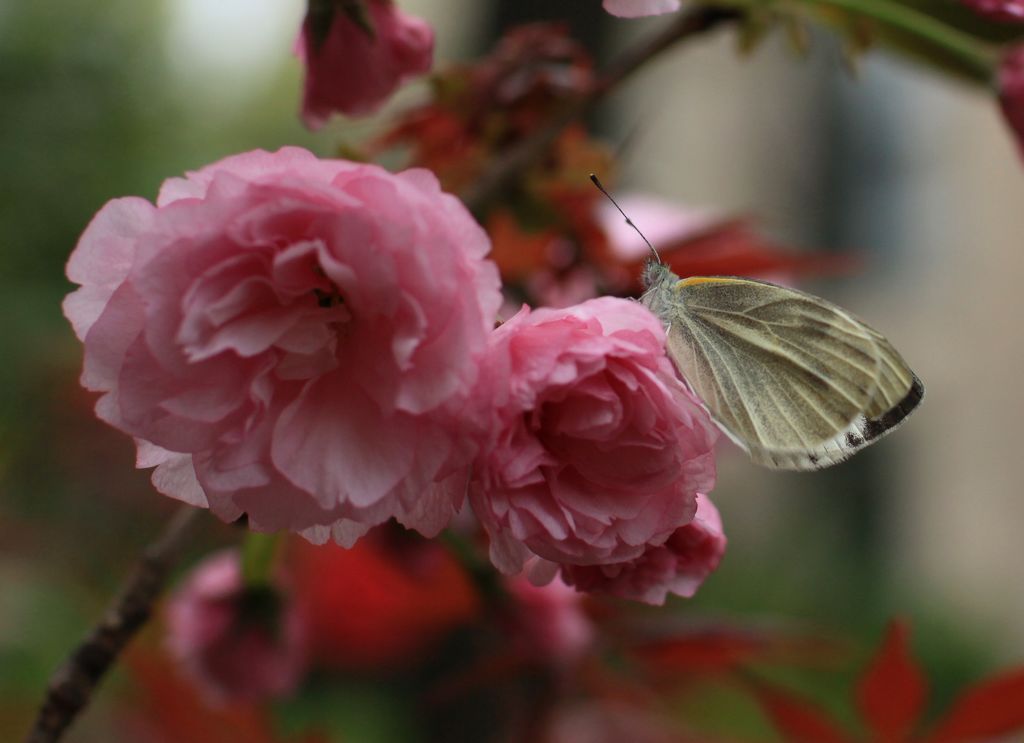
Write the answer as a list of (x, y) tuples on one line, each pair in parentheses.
[(980, 61)]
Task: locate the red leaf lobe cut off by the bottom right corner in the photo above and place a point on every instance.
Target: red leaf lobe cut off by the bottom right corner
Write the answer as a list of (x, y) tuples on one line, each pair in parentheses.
[(991, 709)]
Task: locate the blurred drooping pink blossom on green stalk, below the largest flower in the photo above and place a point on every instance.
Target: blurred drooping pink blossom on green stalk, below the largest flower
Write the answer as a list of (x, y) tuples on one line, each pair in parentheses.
[(237, 644)]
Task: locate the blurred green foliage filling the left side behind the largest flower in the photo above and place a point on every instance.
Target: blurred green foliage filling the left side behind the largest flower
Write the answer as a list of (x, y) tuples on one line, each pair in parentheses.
[(90, 112)]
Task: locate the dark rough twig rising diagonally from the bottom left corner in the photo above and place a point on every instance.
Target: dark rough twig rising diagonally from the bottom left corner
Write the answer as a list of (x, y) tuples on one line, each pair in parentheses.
[(72, 686)]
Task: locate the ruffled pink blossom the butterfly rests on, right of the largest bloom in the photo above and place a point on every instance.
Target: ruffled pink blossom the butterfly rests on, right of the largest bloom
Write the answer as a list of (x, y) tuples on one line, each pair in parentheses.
[(599, 451)]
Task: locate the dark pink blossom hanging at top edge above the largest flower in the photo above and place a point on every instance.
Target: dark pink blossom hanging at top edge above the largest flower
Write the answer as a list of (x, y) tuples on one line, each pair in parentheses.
[(353, 69)]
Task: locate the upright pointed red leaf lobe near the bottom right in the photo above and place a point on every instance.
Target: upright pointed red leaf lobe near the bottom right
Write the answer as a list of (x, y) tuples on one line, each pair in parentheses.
[(892, 690)]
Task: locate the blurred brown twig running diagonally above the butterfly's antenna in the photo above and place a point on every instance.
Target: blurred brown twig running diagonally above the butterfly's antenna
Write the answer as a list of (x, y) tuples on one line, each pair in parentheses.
[(527, 153)]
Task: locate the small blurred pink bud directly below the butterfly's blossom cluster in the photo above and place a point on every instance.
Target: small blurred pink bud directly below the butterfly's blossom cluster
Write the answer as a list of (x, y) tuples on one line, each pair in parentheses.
[(548, 622)]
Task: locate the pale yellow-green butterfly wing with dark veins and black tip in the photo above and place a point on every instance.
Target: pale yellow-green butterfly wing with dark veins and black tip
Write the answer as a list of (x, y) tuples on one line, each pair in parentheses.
[(798, 382)]
